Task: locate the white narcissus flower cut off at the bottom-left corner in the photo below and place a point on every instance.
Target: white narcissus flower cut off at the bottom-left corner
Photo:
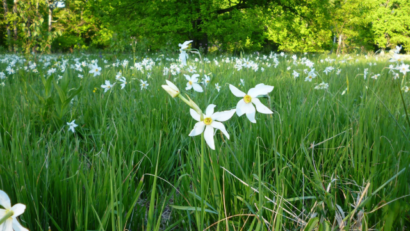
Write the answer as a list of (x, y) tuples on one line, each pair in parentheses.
[(11, 223)]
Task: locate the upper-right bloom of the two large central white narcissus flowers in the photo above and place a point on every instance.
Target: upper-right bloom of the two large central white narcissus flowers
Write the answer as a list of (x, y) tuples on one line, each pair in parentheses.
[(245, 106)]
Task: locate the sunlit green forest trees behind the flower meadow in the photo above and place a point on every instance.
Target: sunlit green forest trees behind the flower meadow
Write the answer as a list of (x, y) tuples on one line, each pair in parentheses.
[(215, 26)]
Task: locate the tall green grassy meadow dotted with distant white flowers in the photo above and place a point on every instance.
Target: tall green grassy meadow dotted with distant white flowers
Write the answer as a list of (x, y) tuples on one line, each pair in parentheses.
[(331, 156)]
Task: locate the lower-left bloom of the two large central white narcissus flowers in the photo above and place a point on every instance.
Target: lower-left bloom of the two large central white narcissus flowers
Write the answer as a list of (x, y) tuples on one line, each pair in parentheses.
[(210, 121)]
